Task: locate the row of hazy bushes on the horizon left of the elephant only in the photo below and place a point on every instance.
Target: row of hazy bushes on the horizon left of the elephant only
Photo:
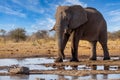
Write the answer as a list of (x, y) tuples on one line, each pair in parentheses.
[(20, 34)]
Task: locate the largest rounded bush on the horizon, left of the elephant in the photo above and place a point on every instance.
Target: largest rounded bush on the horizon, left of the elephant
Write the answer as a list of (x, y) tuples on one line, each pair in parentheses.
[(18, 34)]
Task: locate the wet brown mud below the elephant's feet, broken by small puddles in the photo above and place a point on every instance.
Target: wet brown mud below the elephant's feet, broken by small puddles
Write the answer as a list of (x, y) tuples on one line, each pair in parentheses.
[(90, 67)]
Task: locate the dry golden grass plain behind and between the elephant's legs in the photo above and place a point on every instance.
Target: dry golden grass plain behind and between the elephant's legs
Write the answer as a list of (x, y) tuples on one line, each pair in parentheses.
[(48, 48)]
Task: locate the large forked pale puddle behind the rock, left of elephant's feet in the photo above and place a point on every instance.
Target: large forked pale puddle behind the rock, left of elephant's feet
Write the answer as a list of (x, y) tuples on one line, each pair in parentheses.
[(27, 62)]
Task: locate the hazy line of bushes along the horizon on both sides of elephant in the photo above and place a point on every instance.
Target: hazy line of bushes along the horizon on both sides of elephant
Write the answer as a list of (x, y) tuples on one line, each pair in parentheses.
[(19, 34)]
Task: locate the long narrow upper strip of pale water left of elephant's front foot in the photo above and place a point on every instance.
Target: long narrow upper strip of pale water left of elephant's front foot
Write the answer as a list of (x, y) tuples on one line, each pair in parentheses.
[(23, 61)]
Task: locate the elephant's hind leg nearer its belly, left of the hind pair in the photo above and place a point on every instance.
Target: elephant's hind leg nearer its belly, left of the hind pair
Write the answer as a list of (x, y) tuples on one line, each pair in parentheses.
[(93, 50)]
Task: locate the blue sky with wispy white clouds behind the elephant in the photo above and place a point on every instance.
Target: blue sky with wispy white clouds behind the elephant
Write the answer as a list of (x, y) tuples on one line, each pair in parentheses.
[(36, 15)]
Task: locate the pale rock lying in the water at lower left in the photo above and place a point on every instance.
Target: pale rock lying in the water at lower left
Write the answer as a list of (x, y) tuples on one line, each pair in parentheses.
[(19, 70)]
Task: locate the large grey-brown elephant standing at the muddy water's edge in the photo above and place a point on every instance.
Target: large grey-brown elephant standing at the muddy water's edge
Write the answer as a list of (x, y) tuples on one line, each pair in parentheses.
[(81, 24)]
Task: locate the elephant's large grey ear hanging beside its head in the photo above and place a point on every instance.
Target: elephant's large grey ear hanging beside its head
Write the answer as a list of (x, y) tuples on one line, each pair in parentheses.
[(78, 16)]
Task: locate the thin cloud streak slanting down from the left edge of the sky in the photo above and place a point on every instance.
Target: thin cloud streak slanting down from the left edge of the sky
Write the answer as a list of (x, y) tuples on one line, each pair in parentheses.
[(10, 11)]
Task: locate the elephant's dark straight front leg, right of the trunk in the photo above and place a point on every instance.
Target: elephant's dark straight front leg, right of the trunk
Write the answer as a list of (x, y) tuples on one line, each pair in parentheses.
[(74, 47)]
